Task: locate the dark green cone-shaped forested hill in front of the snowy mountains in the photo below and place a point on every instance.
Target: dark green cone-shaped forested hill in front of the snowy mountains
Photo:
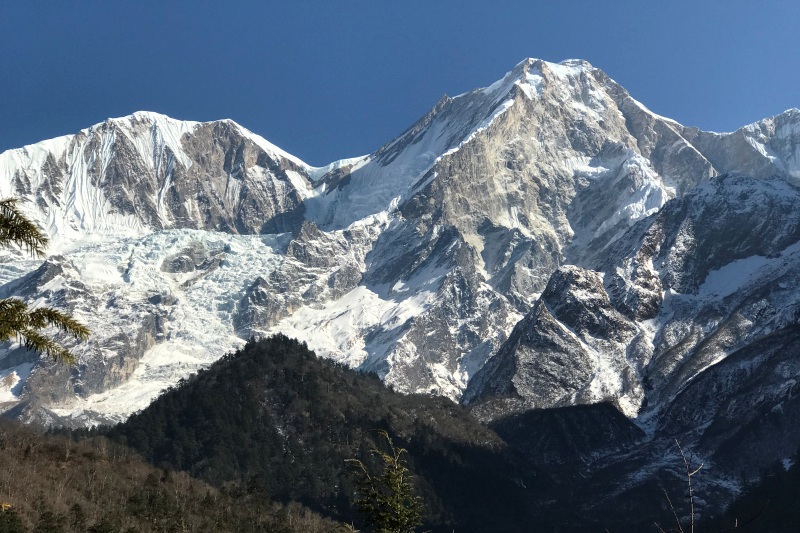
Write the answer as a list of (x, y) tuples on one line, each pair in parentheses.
[(276, 417)]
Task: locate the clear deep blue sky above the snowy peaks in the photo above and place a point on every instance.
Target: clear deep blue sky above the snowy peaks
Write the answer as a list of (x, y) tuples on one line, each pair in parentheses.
[(330, 79)]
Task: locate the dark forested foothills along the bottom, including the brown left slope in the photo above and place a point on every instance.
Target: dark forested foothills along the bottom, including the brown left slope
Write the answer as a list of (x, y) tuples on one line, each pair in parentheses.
[(260, 441)]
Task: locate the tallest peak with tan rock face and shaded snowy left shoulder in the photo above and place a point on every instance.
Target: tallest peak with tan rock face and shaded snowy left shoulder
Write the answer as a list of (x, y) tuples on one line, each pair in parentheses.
[(485, 196)]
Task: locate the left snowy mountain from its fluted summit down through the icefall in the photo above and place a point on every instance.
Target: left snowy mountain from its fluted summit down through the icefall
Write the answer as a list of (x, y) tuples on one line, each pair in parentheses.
[(146, 216)]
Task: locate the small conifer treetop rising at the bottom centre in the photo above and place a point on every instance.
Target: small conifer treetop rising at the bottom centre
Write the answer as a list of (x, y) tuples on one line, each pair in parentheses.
[(388, 499)]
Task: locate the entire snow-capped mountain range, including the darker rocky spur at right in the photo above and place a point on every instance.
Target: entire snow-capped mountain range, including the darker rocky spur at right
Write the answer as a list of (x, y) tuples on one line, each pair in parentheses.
[(549, 213)]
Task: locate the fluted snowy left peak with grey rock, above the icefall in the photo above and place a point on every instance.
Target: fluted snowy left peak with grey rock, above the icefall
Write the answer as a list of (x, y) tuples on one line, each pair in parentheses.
[(145, 172)]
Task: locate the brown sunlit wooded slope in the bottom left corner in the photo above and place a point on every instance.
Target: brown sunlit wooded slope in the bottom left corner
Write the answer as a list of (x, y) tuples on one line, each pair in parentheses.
[(53, 484)]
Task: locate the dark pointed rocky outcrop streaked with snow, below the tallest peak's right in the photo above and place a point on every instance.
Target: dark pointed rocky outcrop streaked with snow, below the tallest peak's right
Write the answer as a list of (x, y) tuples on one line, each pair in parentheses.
[(569, 349)]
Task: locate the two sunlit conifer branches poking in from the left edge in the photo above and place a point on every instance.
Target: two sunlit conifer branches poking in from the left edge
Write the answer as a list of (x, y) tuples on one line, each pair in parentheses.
[(17, 321)]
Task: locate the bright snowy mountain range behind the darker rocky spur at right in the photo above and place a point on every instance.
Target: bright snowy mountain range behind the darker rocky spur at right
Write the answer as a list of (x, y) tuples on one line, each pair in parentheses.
[(415, 261)]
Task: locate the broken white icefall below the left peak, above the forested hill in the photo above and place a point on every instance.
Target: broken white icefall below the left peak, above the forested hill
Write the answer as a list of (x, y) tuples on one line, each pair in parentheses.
[(160, 307)]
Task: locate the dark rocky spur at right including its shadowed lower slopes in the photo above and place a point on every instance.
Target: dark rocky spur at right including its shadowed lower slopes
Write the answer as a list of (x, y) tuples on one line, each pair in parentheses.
[(688, 326)]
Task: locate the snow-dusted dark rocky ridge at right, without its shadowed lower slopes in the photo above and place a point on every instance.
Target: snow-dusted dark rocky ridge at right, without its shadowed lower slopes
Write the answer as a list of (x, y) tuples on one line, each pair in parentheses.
[(707, 275)]
